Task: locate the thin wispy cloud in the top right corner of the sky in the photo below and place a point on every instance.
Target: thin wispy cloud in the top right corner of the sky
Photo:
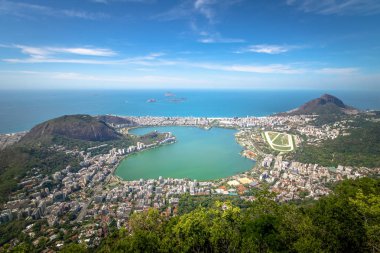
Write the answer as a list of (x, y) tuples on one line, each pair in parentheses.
[(338, 7)]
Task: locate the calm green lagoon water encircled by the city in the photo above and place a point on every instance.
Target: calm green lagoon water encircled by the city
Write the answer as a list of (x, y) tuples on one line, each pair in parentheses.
[(198, 154)]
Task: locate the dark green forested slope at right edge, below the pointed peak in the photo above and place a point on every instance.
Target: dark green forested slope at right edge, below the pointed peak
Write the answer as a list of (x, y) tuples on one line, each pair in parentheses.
[(360, 148)]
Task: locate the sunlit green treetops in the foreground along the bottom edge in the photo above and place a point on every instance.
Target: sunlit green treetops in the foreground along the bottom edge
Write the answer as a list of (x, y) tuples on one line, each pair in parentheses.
[(345, 221)]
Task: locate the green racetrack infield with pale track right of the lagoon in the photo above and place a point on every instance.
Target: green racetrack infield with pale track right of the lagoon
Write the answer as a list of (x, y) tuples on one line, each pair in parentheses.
[(279, 141)]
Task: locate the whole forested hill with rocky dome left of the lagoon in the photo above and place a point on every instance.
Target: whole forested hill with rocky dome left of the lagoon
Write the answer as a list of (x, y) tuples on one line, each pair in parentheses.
[(33, 150)]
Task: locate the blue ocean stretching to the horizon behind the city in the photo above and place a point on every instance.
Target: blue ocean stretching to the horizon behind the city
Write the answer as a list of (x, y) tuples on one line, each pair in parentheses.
[(21, 110)]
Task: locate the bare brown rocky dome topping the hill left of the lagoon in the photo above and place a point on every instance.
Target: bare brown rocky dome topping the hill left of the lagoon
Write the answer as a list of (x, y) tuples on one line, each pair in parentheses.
[(80, 127)]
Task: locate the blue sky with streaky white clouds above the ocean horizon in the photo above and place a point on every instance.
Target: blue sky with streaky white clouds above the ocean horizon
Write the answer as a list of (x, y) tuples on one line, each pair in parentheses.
[(201, 44)]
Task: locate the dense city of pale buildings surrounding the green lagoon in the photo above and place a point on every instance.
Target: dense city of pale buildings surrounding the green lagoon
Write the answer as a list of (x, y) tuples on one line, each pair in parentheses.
[(83, 204)]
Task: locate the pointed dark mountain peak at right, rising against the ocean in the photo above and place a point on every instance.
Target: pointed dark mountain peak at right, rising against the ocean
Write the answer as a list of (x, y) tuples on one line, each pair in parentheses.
[(326, 104)]
